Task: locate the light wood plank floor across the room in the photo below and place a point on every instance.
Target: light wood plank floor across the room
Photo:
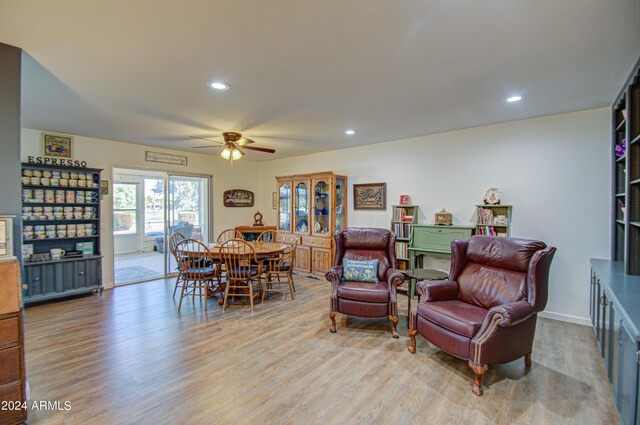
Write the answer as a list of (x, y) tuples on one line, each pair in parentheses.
[(127, 357)]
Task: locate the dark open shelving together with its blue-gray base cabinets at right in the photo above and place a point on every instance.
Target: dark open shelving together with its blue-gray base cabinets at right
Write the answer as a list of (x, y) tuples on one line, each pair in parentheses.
[(615, 284)]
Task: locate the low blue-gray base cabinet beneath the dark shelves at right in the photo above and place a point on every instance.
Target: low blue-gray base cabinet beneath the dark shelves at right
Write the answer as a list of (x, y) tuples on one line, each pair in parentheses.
[(615, 316)]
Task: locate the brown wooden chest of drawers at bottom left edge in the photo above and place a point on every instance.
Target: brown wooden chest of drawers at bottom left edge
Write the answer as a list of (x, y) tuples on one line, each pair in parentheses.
[(12, 374)]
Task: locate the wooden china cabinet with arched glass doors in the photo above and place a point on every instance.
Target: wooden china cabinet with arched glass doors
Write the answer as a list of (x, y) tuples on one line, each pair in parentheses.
[(311, 207)]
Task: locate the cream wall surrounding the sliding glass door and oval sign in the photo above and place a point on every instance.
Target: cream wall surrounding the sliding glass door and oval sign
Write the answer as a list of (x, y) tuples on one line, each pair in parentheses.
[(108, 154)]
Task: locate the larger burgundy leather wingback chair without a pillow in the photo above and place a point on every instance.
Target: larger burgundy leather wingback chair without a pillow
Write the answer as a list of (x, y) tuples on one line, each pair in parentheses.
[(486, 312)]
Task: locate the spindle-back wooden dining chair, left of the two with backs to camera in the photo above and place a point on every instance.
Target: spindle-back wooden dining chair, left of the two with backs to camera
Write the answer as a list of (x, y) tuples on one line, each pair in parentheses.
[(199, 277)]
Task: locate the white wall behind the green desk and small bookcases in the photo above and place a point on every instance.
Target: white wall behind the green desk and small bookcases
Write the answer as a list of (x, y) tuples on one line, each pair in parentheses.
[(554, 170)]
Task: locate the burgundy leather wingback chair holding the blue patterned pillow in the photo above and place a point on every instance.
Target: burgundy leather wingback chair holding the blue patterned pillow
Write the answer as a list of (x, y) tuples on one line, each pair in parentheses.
[(365, 299)]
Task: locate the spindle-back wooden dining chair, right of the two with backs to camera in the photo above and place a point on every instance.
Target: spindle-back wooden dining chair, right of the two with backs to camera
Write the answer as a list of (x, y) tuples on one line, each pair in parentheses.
[(243, 269)]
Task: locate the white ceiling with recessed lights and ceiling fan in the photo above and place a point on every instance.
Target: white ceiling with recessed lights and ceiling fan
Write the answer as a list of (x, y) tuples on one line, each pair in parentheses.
[(301, 71)]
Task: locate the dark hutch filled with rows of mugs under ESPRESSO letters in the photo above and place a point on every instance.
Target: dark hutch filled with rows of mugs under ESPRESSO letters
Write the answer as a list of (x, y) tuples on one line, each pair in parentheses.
[(61, 231)]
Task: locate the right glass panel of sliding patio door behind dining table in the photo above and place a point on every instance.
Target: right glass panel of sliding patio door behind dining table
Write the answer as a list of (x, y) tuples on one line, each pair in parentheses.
[(187, 210)]
